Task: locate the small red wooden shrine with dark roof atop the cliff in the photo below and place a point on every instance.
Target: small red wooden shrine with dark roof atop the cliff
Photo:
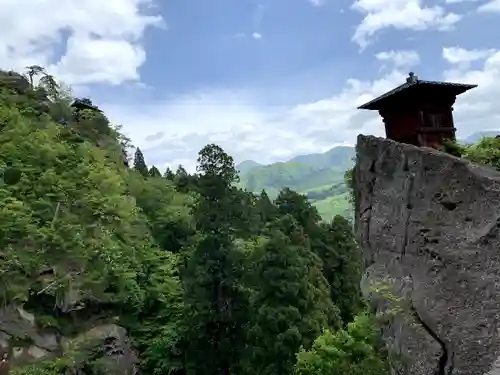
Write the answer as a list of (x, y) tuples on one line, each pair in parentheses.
[(419, 112)]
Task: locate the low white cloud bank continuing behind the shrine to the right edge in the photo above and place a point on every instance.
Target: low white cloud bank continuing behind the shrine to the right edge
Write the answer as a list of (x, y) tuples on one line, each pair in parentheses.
[(247, 129)]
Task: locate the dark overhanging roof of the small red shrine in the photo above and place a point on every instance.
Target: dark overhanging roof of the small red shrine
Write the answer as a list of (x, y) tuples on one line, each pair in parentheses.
[(413, 81)]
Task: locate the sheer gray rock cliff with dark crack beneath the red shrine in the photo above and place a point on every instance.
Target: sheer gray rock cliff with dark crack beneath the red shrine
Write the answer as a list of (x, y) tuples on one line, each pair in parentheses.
[(429, 226)]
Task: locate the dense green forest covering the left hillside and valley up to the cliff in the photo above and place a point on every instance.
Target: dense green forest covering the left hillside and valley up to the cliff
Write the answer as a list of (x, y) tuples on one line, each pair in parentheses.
[(206, 278)]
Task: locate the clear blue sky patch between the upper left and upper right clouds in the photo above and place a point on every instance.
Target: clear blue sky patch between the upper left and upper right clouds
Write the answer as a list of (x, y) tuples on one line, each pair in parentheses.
[(211, 45)]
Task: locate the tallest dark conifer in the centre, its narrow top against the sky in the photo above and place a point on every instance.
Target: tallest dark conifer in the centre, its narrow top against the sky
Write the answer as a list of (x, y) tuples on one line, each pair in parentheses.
[(216, 304)]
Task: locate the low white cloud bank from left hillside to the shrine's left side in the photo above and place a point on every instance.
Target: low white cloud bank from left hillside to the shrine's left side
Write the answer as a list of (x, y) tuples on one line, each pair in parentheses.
[(247, 129)]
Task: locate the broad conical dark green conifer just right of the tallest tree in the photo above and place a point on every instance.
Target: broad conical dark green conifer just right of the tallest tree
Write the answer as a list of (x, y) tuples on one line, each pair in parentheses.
[(292, 304)]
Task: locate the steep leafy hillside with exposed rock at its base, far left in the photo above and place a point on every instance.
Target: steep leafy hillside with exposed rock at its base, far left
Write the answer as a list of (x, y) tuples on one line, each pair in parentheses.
[(76, 252)]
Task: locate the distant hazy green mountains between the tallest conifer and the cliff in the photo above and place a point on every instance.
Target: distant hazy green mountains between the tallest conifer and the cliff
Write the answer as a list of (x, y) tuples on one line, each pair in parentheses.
[(319, 176)]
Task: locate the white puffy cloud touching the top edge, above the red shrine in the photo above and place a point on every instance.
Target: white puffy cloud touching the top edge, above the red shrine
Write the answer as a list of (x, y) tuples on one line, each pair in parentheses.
[(399, 14)]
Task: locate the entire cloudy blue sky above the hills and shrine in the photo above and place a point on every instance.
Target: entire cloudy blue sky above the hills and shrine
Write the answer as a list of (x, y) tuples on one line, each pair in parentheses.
[(265, 79)]
